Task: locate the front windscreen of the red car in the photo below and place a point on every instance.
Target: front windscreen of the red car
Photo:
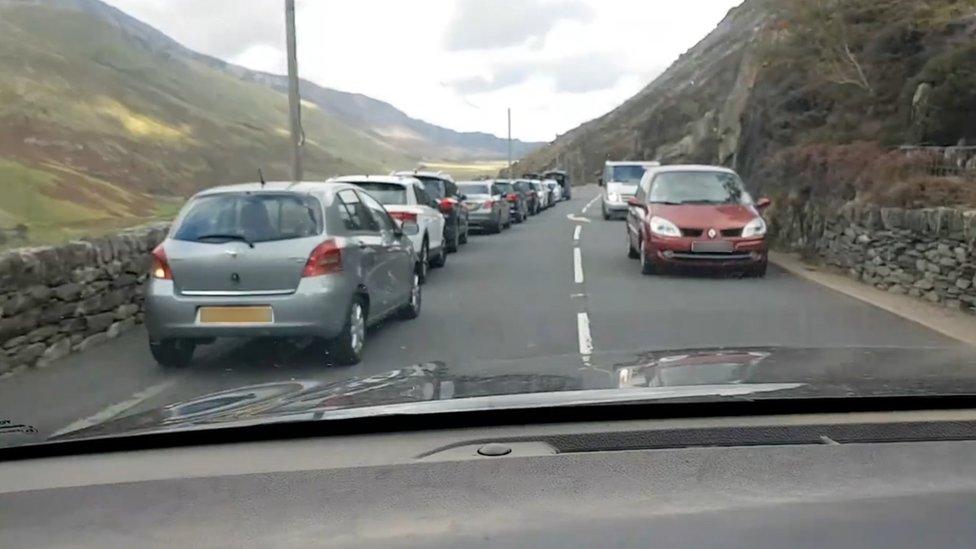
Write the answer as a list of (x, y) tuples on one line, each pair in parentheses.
[(698, 188)]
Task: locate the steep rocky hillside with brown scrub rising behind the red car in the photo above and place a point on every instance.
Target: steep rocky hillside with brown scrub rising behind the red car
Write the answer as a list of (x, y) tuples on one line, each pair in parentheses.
[(805, 96)]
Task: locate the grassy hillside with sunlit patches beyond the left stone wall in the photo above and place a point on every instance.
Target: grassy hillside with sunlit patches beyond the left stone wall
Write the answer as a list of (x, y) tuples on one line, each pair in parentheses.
[(97, 126)]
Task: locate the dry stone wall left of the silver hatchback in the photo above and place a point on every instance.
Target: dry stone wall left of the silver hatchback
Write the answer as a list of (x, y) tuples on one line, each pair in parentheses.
[(62, 299)]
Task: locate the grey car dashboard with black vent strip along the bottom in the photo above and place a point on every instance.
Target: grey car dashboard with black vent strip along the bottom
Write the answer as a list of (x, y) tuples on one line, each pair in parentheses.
[(902, 479)]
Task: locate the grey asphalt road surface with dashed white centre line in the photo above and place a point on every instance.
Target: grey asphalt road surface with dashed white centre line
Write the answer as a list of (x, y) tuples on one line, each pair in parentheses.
[(524, 294)]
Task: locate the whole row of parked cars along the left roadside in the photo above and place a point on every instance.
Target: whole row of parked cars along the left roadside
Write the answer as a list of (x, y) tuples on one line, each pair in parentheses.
[(318, 260)]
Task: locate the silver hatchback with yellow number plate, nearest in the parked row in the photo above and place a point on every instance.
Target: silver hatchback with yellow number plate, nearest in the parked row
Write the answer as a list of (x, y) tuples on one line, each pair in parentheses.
[(313, 260)]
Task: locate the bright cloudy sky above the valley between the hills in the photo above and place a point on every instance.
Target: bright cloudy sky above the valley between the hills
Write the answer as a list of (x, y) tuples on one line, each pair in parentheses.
[(456, 63)]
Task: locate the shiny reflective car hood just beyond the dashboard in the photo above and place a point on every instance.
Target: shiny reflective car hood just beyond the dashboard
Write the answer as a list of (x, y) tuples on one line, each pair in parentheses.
[(756, 372)]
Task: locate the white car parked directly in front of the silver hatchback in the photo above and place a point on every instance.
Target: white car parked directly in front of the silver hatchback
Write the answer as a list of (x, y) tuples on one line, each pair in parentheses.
[(405, 199)]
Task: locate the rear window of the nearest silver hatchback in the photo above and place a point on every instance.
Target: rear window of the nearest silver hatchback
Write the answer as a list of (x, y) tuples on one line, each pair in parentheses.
[(250, 217)]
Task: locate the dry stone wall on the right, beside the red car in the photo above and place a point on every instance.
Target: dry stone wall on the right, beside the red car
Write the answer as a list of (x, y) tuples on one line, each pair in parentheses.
[(924, 253)]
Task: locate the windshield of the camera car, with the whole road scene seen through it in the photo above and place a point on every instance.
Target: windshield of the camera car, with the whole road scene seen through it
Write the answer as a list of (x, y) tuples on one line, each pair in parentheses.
[(209, 214)]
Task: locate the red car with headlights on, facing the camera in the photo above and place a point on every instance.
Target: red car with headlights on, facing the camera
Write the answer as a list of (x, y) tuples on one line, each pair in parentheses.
[(696, 216)]
